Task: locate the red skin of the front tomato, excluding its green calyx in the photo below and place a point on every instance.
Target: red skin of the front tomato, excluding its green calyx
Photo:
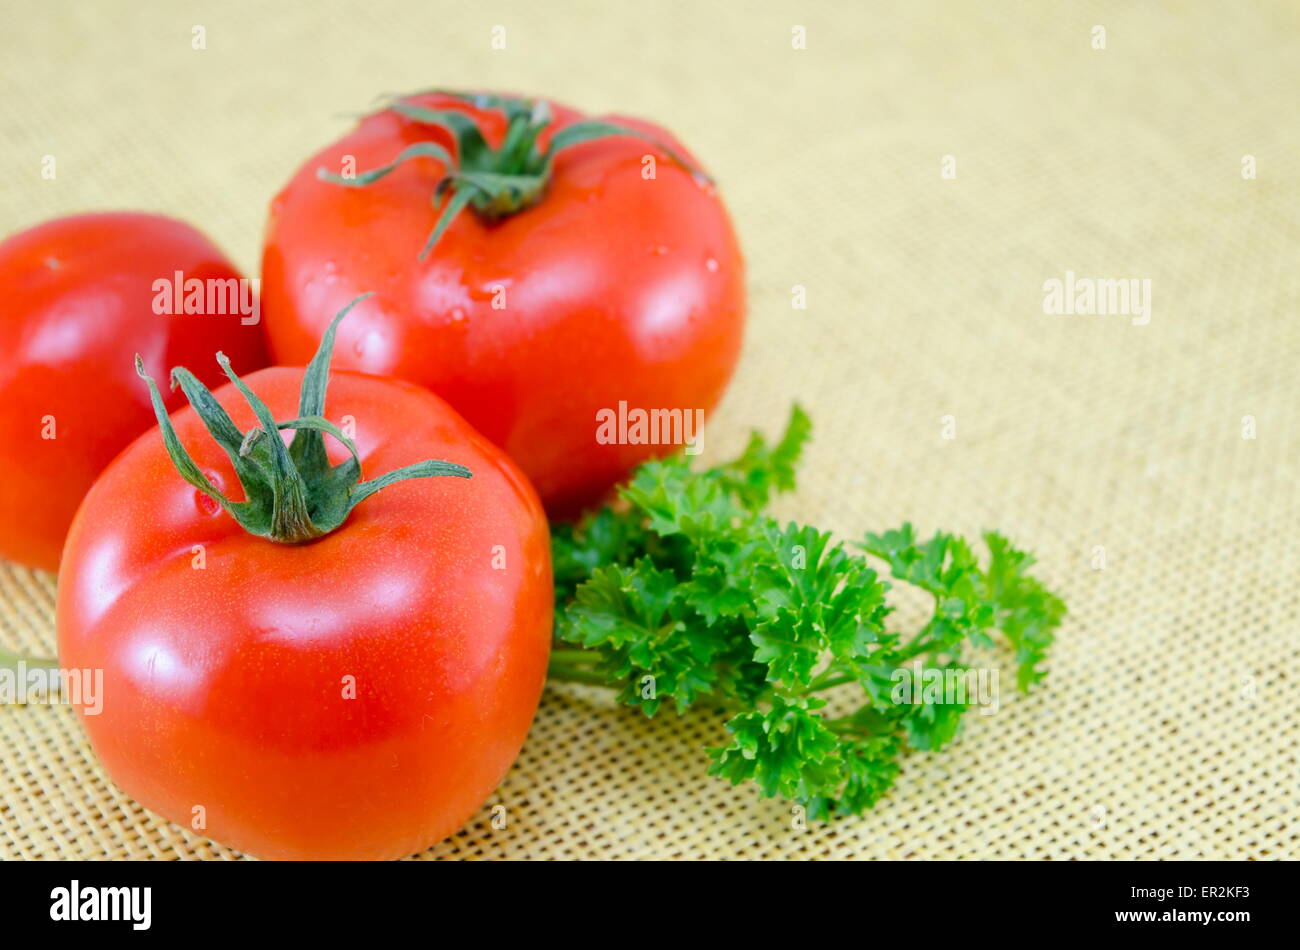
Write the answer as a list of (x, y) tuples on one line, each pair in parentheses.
[(226, 686)]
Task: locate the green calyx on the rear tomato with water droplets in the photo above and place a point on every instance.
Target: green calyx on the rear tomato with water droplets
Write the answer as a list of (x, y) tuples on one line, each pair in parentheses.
[(495, 183)]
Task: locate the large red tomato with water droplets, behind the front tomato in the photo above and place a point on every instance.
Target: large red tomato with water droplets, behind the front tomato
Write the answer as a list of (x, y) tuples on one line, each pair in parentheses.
[(562, 292)]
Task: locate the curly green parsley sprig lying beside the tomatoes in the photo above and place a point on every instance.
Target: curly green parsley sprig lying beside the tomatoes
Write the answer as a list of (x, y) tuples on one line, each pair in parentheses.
[(687, 593)]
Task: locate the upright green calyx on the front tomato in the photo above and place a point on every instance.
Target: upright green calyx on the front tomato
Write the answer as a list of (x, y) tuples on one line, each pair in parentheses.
[(293, 494)]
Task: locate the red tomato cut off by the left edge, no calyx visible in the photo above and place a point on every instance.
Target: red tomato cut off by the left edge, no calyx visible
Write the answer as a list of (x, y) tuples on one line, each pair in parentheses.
[(80, 296)]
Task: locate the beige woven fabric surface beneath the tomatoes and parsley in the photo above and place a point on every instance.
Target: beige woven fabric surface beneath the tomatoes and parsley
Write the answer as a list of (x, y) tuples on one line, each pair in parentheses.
[(1169, 725)]
